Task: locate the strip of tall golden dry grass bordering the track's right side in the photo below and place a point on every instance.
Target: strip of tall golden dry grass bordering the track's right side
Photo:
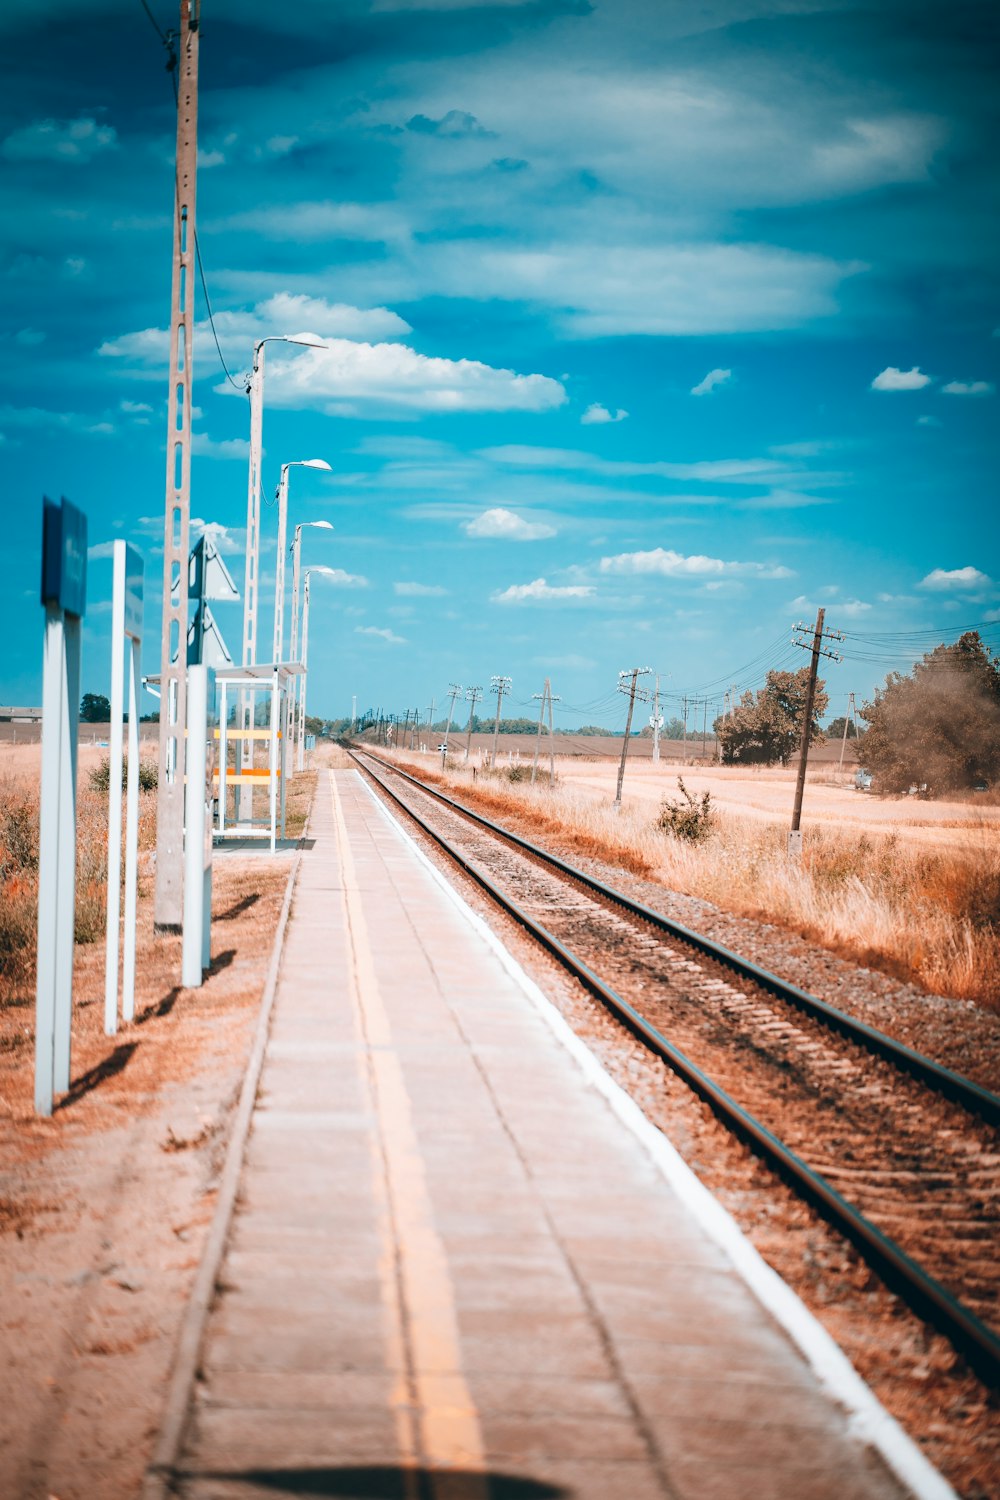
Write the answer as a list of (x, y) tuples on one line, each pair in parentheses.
[(923, 916)]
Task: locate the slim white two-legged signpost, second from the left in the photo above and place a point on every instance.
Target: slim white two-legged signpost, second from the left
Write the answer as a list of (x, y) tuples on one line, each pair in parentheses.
[(127, 623)]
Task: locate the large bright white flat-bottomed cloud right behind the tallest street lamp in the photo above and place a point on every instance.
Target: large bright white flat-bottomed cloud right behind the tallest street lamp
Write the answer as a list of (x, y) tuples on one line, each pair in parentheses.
[(394, 374)]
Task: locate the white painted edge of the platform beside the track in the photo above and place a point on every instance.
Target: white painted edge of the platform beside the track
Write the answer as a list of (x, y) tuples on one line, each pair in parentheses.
[(869, 1420)]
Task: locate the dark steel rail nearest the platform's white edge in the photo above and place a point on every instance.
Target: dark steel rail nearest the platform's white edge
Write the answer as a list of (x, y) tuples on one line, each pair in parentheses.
[(923, 1292)]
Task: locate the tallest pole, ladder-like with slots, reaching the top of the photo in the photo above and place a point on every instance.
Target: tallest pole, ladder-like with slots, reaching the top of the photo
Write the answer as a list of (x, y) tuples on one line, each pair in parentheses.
[(170, 797)]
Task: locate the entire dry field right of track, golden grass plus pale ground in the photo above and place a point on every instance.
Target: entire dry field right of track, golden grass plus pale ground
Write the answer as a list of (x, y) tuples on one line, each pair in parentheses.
[(905, 886)]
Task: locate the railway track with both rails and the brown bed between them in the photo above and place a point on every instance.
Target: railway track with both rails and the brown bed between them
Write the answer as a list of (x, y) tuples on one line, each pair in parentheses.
[(900, 1154)]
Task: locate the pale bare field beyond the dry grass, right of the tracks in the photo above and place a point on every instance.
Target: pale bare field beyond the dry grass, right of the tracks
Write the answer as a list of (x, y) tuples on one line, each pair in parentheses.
[(768, 794)]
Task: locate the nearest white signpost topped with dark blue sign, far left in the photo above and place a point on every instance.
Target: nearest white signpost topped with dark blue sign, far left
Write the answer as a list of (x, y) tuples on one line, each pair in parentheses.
[(65, 599)]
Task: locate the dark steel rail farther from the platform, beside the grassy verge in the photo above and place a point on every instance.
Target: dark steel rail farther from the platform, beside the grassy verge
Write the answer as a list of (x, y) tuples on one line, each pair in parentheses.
[(944, 1081)]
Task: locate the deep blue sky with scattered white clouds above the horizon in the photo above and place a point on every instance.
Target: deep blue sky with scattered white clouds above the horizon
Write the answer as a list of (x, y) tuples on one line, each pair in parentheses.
[(648, 329)]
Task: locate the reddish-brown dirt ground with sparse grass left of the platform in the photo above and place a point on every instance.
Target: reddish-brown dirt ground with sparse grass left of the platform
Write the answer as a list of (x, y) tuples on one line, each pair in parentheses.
[(104, 1208)]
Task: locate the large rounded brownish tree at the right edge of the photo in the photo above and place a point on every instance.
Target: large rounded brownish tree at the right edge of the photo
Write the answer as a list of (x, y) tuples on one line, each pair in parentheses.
[(941, 725)]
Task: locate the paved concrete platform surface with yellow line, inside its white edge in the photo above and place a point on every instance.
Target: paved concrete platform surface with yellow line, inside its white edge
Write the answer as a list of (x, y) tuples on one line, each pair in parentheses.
[(454, 1262)]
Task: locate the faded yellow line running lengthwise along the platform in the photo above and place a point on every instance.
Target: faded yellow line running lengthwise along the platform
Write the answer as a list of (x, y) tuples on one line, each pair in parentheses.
[(451, 1433)]
